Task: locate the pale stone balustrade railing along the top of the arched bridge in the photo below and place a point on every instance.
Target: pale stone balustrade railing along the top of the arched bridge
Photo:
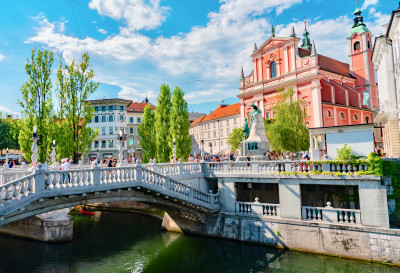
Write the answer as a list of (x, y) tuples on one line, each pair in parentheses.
[(52, 183)]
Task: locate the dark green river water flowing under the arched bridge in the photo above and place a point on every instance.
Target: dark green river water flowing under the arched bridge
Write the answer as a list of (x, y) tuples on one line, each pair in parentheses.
[(128, 242)]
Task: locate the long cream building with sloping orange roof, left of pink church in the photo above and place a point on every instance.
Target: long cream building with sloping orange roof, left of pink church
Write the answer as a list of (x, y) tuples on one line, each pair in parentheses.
[(214, 129)]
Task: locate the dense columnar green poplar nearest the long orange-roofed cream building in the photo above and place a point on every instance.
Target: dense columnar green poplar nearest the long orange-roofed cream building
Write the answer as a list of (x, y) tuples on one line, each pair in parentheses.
[(179, 122)]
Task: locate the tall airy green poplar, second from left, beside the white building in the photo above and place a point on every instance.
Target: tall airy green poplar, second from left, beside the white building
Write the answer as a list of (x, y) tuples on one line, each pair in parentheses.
[(74, 86)]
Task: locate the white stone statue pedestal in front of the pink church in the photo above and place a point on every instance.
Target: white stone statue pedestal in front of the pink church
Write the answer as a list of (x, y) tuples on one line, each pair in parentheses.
[(256, 145)]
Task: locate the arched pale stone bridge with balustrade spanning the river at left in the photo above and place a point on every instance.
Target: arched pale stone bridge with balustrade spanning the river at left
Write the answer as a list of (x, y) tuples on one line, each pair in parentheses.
[(44, 191)]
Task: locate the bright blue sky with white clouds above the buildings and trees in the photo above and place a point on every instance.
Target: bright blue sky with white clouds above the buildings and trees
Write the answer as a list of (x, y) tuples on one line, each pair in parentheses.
[(199, 45)]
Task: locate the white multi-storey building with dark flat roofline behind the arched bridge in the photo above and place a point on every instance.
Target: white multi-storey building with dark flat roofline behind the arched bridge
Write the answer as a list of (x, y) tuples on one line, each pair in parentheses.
[(109, 117)]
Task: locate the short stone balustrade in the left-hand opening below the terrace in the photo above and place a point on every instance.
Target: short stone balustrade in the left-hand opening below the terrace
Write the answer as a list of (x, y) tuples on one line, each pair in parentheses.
[(257, 209)]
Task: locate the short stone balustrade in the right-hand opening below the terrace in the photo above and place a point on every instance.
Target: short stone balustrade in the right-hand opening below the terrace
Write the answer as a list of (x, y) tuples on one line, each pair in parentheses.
[(331, 215)]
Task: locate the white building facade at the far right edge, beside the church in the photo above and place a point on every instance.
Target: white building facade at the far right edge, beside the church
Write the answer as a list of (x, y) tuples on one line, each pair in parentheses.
[(386, 57)]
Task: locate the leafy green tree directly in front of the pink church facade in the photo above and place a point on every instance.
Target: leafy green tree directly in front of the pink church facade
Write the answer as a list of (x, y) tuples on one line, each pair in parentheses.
[(288, 132)]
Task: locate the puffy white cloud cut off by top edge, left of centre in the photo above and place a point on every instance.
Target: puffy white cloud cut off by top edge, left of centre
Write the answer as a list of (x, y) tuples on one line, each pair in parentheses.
[(137, 13)]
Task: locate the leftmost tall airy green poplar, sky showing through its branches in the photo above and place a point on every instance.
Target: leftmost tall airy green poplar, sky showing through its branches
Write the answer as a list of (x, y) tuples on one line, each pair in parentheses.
[(37, 103)]
